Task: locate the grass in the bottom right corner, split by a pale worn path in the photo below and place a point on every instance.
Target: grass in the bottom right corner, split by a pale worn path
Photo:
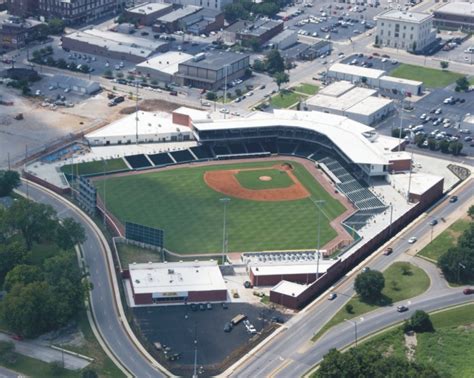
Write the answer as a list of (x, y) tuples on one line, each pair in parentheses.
[(448, 349)]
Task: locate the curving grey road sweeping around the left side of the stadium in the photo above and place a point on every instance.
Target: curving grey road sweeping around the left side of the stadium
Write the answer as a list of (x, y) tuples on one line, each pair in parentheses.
[(102, 297)]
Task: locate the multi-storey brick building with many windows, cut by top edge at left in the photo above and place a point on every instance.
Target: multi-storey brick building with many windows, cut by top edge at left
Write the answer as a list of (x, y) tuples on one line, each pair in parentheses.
[(79, 11)]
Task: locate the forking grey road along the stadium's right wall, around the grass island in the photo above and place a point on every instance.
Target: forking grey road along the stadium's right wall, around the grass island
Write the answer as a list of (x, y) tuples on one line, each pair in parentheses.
[(292, 353)]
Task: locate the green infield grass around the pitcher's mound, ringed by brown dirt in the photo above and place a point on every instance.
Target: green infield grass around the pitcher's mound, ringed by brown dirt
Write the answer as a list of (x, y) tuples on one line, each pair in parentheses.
[(250, 179)]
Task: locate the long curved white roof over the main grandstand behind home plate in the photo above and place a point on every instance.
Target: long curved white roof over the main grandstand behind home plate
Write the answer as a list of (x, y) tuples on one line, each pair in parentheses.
[(349, 136)]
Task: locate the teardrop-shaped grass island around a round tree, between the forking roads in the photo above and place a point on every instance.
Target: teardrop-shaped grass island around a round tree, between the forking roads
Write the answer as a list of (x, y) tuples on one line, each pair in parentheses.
[(397, 287)]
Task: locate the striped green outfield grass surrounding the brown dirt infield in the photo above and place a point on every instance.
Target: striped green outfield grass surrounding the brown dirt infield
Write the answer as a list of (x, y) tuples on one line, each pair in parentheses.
[(180, 202)]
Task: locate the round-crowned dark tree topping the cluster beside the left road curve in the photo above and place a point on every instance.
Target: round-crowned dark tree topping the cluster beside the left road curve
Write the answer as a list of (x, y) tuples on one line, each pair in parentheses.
[(35, 221)]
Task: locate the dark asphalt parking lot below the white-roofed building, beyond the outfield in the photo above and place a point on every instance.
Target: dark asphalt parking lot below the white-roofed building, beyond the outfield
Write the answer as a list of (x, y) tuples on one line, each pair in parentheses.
[(177, 327)]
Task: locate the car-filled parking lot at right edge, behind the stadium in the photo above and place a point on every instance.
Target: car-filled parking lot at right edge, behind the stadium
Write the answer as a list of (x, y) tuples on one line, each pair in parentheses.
[(442, 117)]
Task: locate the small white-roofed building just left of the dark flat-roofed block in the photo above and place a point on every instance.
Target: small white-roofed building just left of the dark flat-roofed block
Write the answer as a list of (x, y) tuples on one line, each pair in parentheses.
[(163, 67)]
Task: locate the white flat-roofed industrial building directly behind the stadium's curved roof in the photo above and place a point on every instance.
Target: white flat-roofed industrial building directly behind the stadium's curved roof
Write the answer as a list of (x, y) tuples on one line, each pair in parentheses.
[(344, 98)]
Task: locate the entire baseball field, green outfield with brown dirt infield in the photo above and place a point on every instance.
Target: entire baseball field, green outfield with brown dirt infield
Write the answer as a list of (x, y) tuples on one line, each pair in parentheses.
[(271, 206)]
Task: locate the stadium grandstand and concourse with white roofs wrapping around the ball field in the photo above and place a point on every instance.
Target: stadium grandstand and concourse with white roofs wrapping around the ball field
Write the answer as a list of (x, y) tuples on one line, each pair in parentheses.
[(372, 171)]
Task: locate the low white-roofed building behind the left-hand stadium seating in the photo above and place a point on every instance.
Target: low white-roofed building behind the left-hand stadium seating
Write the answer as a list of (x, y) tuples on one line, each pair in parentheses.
[(149, 126)]
